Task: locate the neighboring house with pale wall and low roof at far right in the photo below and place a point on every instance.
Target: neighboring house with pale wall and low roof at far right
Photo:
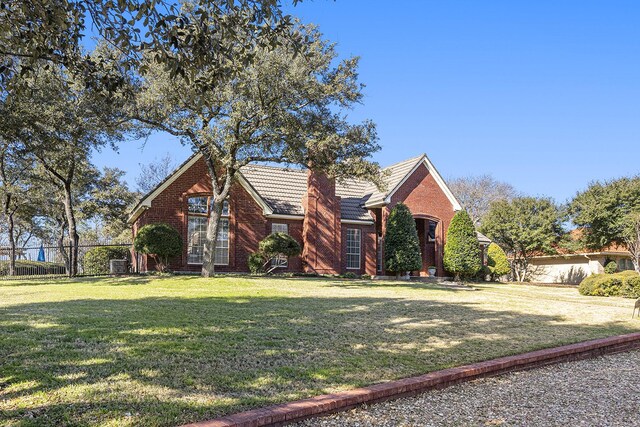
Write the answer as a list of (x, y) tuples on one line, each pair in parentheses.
[(572, 268)]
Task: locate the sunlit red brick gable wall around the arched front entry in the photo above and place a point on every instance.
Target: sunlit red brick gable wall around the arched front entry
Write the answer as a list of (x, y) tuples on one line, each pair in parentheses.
[(424, 197)]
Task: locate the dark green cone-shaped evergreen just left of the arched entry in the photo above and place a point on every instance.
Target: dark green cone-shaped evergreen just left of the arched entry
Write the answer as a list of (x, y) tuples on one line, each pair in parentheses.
[(401, 243)]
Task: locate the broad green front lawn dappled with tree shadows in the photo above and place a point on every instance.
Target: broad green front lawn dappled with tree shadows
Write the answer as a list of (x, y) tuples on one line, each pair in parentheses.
[(165, 351)]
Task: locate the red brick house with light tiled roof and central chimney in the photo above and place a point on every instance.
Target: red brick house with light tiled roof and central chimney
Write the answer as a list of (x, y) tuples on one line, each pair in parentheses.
[(339, 225)]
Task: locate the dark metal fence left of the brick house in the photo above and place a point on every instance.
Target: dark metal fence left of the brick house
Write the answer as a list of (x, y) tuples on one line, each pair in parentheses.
[(50, 261)]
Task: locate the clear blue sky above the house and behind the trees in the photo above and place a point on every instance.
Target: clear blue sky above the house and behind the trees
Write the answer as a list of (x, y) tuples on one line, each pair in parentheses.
[(544, 95)]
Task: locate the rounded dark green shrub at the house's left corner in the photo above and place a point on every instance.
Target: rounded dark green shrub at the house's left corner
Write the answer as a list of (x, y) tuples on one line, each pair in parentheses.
[(159, 240)]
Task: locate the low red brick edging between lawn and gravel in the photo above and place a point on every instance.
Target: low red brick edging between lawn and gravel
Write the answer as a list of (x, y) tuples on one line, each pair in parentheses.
[(321, 405)]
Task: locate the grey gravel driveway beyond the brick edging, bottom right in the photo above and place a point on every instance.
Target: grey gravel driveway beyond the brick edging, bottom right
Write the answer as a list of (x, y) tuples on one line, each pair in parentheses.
[(596, 392)]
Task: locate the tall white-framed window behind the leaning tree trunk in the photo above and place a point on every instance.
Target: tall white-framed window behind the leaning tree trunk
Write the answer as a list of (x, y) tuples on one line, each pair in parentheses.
[(199, 212)]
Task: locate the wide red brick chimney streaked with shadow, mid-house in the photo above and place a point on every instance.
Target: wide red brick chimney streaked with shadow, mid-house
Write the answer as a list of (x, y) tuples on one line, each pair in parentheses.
[(321, 232)]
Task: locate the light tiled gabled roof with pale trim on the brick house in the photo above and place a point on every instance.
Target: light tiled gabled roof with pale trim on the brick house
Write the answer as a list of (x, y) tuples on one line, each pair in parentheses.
[(280, 190)]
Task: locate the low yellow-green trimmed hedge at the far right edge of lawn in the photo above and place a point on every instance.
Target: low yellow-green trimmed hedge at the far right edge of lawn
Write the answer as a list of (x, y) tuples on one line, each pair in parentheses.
[(624, 284)]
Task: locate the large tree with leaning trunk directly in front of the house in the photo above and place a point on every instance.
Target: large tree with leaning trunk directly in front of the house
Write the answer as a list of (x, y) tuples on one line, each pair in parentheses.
[(285, 106)]
